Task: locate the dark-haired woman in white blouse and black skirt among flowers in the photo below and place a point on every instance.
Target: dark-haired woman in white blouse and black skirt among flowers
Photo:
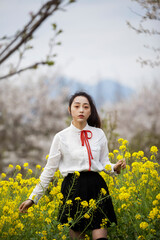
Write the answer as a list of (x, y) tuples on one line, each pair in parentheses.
[(81, 147)]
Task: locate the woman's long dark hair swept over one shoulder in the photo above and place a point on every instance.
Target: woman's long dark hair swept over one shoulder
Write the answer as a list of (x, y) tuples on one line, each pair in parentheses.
[(94, 119)]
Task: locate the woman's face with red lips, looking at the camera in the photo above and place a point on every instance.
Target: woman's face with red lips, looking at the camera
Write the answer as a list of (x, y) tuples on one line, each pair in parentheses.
[(80, 109)]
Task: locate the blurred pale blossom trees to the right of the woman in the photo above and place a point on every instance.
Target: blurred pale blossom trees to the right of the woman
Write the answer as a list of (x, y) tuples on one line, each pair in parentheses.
[(137, 119)]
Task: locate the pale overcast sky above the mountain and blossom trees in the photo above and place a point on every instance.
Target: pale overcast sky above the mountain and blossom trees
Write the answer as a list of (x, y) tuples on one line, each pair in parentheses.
[(96, 41)]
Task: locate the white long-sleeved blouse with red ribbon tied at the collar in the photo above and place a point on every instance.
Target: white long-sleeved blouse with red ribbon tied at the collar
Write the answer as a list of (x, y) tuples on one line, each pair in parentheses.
[(71, 151)]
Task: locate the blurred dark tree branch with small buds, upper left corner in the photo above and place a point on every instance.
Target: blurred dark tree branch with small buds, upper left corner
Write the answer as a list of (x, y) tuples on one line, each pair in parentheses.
[(20, 42)]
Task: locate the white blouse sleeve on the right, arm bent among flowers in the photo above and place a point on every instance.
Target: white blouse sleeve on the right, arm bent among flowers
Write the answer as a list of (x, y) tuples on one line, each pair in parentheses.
[(104, 158)]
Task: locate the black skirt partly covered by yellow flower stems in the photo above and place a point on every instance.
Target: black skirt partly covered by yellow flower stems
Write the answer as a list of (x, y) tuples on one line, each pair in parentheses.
[(86, 201)]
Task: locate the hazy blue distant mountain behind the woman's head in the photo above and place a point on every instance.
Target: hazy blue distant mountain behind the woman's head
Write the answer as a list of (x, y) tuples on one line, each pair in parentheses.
[(102, 92)]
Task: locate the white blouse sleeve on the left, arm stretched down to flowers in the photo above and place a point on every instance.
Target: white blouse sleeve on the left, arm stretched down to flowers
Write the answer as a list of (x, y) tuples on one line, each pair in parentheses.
[(49, 170)]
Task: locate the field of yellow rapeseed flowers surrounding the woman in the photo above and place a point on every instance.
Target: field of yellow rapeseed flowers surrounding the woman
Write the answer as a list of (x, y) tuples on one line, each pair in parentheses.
[(135, 194)]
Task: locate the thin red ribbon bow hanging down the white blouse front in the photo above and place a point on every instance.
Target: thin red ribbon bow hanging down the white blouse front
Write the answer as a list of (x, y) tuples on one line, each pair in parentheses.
[(84, 140)]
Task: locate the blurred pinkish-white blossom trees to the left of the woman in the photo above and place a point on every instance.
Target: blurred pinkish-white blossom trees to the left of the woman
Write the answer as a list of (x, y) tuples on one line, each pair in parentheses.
[(29, 118)]
